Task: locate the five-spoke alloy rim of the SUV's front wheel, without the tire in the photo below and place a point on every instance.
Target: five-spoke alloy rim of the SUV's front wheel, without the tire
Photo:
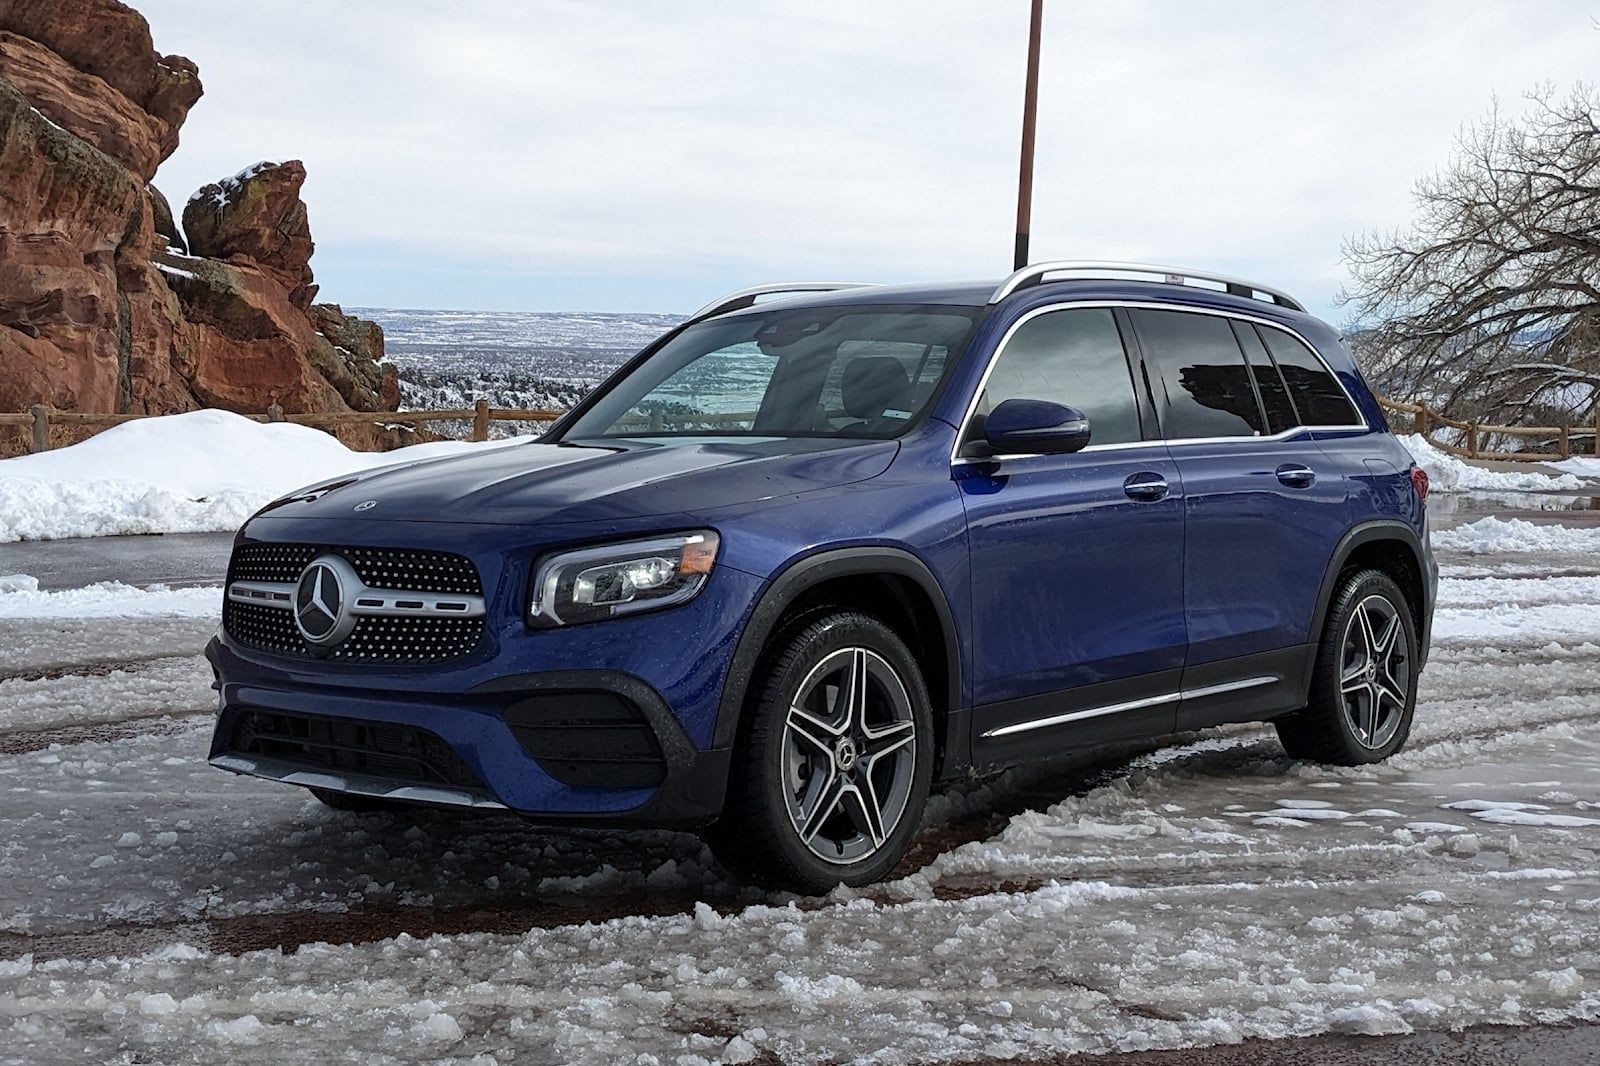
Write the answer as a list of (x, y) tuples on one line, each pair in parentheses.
[(850, 755)]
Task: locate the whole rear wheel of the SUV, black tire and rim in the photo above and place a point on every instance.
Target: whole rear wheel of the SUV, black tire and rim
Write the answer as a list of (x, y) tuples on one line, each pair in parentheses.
[(1366, 660)]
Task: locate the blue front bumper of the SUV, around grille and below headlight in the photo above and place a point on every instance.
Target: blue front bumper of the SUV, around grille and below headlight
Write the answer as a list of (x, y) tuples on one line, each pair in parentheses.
[(530, 715)]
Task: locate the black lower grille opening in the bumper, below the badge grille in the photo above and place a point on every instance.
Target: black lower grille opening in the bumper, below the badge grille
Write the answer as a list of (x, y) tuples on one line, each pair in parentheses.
[(350, 747)]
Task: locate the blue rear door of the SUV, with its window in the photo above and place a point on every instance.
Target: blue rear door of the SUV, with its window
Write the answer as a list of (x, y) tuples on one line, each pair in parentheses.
[(1265, 510)]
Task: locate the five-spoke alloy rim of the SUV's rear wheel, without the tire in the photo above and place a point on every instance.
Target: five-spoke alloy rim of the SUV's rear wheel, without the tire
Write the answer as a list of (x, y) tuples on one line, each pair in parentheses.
[(1375, 671)]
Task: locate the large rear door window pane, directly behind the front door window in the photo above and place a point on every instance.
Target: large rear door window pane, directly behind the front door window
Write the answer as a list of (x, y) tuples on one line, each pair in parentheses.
[(1204, 387)]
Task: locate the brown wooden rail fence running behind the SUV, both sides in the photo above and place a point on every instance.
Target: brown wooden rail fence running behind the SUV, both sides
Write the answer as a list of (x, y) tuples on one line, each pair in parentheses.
[(1420, 419)]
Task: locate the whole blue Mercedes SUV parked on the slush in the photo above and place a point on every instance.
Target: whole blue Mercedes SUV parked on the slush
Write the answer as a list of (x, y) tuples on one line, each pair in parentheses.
[(802, 558)]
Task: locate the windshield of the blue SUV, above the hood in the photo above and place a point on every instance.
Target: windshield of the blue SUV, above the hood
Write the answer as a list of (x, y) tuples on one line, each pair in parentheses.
[(814, 372)]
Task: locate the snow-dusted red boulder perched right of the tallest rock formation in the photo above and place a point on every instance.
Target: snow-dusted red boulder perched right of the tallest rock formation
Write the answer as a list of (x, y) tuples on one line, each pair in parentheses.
[(257, 215)]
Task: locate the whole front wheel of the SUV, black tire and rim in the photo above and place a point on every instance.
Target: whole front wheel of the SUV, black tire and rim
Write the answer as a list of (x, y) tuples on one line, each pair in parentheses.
[(828, 790)]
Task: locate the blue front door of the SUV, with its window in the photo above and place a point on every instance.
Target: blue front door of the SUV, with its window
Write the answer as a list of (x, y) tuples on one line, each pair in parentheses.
[(1076, 559)]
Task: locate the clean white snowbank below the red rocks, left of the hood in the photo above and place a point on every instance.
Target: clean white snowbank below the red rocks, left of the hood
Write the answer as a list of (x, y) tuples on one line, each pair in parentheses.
[(196, 473)]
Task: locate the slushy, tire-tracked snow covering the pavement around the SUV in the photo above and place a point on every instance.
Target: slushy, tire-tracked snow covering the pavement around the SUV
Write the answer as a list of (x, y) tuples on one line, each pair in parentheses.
[(1193, 896)]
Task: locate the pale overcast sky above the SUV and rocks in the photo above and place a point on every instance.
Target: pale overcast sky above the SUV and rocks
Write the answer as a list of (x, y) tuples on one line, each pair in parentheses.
[(636, 156)]
